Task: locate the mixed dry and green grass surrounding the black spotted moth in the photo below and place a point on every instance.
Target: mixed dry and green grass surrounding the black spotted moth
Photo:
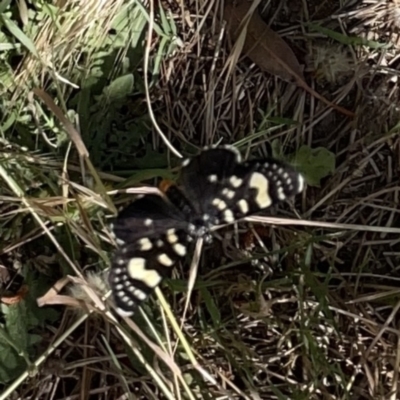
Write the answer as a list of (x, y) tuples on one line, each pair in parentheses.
[(95, 110)]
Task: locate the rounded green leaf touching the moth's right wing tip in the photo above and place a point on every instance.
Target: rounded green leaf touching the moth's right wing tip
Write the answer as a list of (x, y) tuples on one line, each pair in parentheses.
[(314, 164)]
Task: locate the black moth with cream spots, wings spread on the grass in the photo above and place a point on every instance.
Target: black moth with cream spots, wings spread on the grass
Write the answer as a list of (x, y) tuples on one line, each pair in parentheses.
[(215, 187)]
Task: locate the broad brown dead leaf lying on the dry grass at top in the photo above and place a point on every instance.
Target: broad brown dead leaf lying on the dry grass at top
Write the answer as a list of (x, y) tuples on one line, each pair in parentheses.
[(262, 45)]
